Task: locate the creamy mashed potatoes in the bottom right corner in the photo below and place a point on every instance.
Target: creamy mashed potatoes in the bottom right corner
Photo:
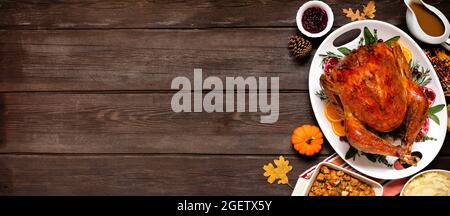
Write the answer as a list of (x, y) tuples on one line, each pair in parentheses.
[(432, 183)]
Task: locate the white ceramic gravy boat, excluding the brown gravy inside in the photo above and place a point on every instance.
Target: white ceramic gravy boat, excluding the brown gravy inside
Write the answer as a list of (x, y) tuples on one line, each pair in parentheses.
[(416, 30)]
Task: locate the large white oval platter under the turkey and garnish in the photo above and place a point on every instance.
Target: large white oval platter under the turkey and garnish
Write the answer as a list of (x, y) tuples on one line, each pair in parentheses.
[(429, 149)]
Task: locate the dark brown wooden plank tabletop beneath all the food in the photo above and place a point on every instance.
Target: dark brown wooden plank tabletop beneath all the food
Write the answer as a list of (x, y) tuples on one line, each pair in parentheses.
[(85, 95)]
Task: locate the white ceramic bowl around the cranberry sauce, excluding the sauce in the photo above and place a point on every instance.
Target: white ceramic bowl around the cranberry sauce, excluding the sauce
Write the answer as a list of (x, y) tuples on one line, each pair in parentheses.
[(310, 4)]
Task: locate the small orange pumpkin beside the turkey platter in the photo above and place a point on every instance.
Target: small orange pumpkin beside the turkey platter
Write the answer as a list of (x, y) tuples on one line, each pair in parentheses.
[(307, 139)]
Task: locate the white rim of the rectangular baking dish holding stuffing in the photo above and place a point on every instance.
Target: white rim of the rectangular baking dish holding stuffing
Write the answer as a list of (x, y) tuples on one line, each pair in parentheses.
[(378, 189)]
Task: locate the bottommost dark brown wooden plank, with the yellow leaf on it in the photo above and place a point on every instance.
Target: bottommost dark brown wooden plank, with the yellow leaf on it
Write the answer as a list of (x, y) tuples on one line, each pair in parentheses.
[(146, 175)]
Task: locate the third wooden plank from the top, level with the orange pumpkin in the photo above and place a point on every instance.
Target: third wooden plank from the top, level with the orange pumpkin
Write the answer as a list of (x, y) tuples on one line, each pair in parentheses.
[(142, 123)]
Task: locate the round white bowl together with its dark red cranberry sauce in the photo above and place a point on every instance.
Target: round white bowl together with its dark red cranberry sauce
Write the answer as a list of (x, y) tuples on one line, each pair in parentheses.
[(315, 19)]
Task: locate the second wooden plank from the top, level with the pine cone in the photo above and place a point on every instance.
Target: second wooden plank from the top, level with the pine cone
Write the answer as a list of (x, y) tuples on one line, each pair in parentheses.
[(142, 59)]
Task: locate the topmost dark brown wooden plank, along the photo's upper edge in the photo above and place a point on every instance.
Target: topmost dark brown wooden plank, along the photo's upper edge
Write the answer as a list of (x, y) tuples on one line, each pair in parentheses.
[(71, 14)]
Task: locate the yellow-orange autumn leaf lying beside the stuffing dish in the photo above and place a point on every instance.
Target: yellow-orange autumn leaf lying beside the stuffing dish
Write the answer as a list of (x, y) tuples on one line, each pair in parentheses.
[(279, 172)]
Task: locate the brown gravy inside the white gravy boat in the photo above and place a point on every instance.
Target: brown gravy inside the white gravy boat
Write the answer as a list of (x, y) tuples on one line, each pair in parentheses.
[(428, 21)]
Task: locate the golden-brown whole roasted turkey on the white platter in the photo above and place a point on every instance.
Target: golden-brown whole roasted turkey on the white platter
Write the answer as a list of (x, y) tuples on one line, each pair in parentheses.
[(372, 88)]
